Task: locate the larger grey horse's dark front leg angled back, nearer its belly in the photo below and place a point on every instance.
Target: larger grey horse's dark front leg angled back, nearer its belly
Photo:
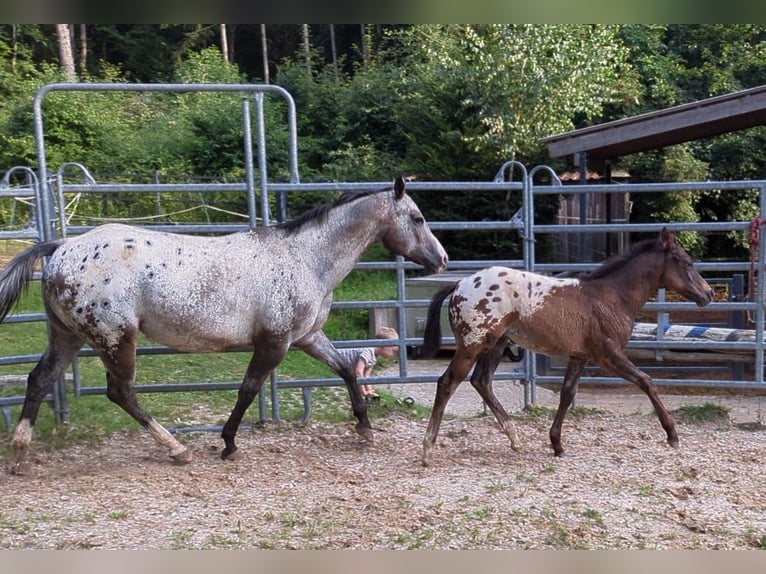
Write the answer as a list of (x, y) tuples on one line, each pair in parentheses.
[(265, 359)]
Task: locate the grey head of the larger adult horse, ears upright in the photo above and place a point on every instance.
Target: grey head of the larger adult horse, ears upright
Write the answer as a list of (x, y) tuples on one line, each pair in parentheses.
[(409, 235)]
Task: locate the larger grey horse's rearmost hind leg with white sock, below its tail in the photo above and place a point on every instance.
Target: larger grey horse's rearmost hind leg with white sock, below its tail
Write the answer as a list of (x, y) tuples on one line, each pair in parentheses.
[(62, 348)]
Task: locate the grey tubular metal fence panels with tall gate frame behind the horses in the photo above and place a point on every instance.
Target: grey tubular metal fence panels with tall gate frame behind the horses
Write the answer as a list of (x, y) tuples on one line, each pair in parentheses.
[(53, 218)]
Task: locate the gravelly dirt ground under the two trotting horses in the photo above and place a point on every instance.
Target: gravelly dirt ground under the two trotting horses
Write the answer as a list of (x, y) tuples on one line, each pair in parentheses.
[(319, 486)]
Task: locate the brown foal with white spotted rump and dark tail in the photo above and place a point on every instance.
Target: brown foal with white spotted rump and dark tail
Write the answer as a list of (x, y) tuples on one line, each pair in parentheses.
[(586, 319)]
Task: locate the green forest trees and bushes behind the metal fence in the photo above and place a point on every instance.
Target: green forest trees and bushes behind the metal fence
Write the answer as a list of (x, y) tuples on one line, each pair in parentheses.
[(441, 102)]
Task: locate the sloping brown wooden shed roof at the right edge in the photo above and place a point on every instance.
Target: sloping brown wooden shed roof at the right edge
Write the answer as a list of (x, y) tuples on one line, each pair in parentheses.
[(696, 120)]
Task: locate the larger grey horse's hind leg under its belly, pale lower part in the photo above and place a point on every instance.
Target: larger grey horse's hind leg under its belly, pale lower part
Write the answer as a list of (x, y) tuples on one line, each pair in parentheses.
[(120, 363)]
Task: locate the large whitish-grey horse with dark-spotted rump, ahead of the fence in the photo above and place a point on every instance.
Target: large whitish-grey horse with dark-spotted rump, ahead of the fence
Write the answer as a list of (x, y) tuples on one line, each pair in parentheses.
[(269, 287)]
